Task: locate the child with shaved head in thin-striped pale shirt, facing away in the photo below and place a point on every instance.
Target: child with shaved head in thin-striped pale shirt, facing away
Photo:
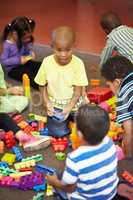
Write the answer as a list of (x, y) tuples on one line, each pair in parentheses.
[(119, 38)]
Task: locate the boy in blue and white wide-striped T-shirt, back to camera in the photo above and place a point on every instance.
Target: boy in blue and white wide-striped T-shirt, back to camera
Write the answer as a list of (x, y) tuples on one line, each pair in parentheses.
[(91, 169)]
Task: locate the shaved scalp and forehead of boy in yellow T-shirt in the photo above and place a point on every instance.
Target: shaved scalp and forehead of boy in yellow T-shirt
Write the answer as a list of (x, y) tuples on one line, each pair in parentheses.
[(63, 33)]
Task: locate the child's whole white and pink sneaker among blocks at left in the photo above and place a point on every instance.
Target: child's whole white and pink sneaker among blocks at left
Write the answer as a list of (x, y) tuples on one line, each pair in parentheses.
[(36, 143)]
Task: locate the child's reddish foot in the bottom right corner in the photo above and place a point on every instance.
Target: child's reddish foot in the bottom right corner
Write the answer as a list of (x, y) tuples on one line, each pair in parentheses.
[(126, 191)]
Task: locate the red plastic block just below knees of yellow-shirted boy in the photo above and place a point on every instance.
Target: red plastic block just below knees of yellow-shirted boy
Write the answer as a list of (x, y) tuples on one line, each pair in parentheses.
[(59, 144)]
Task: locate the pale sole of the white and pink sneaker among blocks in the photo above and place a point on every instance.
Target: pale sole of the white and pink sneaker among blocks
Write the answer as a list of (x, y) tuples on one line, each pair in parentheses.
[(37, 145)]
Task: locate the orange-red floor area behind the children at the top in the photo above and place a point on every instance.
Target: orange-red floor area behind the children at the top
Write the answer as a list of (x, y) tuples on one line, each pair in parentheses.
[(82, 15)]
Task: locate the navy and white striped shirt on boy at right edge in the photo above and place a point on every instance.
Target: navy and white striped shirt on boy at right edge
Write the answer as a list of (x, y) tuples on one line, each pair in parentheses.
[(125, 100)]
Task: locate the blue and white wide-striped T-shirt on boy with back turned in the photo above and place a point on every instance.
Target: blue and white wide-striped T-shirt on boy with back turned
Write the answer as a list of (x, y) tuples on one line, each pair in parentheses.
[(94, 170)]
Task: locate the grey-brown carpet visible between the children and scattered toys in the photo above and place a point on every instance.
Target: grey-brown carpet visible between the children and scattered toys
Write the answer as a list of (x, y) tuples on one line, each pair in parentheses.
[(49, 156)]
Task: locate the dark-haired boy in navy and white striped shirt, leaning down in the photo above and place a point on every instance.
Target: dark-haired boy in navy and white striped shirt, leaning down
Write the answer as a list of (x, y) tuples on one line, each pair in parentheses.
[(118, 72)]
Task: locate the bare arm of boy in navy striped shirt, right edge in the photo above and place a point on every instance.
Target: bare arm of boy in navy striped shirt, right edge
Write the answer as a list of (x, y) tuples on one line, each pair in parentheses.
[(128, 138)]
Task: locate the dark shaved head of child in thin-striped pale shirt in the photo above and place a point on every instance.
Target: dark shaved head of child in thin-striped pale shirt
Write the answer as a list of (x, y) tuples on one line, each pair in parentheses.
[(110, 20)]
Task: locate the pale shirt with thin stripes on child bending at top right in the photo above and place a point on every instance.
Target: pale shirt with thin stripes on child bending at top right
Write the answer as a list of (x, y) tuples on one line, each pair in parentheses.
[(121, 40)]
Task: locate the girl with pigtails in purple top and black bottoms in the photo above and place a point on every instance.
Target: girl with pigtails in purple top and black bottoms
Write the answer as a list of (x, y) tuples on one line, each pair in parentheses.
[(18, 56)]
